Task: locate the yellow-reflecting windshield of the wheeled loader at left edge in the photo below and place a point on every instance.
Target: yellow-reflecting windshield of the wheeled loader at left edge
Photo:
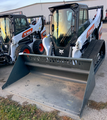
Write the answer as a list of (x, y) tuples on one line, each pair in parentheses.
[(5, 29)]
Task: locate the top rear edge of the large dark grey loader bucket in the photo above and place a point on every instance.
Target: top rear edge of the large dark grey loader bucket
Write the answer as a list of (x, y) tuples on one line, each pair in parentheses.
[(58, 57)]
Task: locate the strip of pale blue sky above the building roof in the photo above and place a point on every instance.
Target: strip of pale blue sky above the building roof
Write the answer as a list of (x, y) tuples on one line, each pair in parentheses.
[(6, 5)]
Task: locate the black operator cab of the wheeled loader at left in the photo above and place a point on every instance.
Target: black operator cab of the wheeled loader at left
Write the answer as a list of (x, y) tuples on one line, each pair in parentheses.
[(11, 25)]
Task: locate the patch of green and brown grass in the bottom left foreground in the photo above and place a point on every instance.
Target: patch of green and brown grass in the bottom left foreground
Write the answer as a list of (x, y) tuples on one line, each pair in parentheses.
[(11, 110)]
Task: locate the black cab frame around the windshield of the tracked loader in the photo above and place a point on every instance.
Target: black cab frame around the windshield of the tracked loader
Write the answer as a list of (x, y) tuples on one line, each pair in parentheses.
[(75, 7)]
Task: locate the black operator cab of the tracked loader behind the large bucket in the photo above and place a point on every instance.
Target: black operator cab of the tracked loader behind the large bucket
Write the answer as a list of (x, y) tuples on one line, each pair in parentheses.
[(67, 25)]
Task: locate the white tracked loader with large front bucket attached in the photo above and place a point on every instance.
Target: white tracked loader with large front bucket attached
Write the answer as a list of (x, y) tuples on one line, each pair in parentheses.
[(63, 78)]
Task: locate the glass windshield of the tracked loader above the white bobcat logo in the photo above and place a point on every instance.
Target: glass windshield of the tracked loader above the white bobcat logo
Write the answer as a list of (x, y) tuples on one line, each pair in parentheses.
[(63, 26)]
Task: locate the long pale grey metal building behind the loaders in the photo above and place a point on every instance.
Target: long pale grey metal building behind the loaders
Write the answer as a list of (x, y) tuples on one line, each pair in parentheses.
[(42, 8)]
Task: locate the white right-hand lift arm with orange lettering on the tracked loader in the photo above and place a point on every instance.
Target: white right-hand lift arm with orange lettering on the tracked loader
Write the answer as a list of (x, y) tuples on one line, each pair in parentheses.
[(87, 34)]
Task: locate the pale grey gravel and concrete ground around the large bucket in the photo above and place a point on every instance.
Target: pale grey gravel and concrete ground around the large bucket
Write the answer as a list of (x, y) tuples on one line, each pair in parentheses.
[(99, 93)]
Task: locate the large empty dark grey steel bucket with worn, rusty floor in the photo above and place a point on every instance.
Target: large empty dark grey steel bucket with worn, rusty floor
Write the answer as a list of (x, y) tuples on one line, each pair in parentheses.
[(62, 83)]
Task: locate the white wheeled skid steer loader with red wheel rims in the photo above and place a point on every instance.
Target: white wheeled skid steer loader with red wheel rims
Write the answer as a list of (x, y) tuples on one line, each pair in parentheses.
[(17, 35)]
